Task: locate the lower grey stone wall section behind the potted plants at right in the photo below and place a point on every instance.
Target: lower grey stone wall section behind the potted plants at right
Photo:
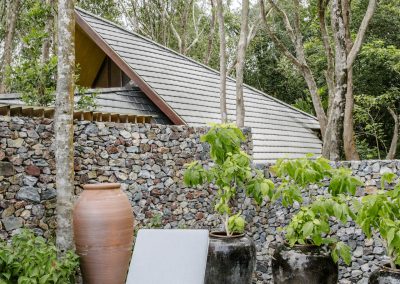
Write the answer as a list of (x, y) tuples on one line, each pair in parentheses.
[(367, 254)]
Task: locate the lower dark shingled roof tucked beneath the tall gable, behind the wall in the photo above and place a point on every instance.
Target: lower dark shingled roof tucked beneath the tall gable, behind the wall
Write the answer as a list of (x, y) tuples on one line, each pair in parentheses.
[(125, 100)]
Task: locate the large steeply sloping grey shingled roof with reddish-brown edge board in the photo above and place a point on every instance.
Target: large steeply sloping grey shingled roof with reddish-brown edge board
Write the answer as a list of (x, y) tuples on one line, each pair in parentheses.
[(188, 92)]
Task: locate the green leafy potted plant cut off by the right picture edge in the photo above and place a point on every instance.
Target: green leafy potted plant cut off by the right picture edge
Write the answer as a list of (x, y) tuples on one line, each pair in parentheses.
[(379, 216)]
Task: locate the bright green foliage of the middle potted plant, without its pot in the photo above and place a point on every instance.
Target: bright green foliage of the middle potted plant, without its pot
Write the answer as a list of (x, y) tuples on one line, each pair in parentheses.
[(312, 224)]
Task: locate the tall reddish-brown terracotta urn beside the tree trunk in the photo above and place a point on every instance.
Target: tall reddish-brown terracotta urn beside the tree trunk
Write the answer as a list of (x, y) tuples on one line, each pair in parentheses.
[(103, 231)]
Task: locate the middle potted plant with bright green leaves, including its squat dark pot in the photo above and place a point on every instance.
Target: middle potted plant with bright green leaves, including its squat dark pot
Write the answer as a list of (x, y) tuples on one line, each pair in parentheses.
[(310, 253)]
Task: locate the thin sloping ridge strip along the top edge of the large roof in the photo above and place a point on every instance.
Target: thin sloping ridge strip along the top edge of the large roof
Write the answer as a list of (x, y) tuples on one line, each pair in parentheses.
[(194, 61)]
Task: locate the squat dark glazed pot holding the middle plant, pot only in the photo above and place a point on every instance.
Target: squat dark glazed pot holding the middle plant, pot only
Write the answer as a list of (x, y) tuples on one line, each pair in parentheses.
[(303, 264)]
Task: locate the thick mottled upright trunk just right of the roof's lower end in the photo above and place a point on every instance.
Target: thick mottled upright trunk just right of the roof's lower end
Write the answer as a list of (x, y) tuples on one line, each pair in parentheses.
[(332, 137)]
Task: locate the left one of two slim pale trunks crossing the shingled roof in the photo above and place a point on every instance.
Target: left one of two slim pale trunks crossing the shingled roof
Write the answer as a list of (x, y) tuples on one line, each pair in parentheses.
[(222, 61)]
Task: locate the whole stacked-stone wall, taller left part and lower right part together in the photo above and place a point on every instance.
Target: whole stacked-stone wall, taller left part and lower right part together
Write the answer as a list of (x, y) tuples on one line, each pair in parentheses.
[(148, 161)]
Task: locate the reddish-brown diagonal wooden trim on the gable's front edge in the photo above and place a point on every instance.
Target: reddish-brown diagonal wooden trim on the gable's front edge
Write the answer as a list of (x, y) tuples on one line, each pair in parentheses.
[(150, 93)]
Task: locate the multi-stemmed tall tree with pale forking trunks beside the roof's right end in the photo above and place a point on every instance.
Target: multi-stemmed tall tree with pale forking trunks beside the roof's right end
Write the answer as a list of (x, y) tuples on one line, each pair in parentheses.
[(340, 57)]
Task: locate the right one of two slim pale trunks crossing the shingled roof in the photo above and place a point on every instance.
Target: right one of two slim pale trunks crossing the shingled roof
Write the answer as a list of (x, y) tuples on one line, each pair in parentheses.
[(241, 55)]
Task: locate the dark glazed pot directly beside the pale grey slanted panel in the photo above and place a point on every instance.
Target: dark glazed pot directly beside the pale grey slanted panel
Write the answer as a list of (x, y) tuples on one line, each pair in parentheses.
[(231, 260)]
